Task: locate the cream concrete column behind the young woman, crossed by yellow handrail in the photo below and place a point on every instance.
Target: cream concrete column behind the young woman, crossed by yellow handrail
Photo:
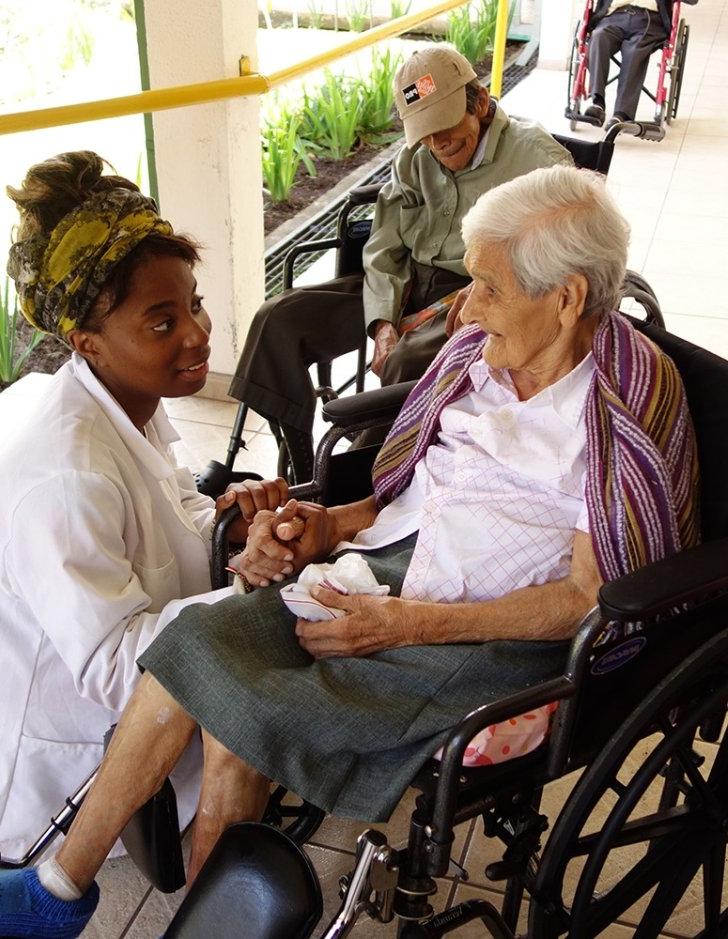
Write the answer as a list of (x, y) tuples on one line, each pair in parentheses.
[(208, 161)]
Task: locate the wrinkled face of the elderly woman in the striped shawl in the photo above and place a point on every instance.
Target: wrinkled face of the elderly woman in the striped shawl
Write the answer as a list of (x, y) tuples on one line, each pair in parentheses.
[(520, 330)]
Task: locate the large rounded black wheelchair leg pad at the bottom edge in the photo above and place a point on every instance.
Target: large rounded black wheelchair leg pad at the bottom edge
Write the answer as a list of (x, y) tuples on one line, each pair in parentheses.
[(256, 883)]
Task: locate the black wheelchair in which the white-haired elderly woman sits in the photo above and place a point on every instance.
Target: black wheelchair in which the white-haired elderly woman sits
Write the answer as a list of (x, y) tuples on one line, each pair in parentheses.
[(642, 709)]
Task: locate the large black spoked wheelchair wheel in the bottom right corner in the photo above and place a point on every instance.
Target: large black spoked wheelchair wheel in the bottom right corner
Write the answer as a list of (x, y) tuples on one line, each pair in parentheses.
[(663, 831)]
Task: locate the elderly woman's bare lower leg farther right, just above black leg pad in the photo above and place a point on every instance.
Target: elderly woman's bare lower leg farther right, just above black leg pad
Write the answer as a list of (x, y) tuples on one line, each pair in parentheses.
[(232, 791)]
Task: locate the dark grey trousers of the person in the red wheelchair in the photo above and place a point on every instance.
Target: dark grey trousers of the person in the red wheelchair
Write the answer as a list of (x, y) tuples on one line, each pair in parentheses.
[(634, 32)]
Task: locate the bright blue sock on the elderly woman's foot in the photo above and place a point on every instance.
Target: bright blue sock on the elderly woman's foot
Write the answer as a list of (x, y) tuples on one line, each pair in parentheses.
[(28, 909)]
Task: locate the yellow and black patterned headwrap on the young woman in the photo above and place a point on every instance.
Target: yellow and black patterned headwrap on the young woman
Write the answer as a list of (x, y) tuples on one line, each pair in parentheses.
[(59, 278)]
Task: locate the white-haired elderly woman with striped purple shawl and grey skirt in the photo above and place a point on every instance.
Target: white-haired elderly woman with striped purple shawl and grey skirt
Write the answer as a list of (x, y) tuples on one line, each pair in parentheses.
[(530, 463)]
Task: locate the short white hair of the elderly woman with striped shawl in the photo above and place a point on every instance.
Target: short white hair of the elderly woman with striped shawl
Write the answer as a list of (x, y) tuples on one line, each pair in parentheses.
[(555, 222)]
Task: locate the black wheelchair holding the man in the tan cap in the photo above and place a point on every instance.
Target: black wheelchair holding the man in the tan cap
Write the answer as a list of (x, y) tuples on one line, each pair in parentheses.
[(351, 235)]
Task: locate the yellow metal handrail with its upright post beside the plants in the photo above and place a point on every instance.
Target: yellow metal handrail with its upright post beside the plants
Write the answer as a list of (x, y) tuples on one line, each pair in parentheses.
[(250, 84)]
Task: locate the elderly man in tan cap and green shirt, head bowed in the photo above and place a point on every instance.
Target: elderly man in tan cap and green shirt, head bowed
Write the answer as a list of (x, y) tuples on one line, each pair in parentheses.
[(459, 144)]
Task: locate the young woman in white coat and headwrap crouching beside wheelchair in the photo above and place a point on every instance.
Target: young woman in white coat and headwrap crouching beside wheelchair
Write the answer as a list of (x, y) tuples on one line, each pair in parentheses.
[(101, 533)]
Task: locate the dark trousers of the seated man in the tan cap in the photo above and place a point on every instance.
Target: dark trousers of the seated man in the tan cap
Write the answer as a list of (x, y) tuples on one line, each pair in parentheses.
[(299, 327)]
